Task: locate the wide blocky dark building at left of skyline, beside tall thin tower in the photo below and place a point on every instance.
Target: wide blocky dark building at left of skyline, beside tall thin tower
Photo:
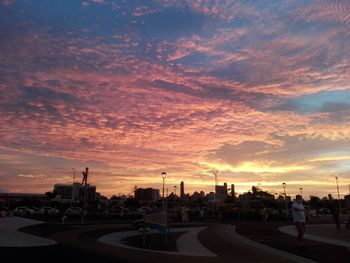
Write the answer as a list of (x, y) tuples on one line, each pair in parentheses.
[(74, 191)]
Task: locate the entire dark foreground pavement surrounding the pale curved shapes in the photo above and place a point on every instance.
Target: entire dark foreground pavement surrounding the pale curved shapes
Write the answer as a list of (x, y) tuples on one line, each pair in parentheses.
[(79, 243)]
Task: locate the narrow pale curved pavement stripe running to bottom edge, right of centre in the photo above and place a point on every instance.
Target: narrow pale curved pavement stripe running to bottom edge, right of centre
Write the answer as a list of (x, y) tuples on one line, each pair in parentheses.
[(272, 250)]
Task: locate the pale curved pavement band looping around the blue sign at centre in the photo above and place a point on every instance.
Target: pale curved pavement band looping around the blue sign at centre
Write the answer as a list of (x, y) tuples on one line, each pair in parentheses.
[(187, 245)]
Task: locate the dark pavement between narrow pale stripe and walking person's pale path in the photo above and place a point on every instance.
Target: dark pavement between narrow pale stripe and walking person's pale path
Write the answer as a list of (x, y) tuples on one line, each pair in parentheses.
[(268, 234)]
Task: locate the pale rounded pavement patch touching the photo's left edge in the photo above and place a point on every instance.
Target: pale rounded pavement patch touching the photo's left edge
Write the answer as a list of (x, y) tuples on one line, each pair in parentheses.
[(11, 237)]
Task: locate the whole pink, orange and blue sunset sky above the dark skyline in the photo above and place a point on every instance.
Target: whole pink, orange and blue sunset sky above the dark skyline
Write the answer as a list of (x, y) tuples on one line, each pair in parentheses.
[(259, 90)]
